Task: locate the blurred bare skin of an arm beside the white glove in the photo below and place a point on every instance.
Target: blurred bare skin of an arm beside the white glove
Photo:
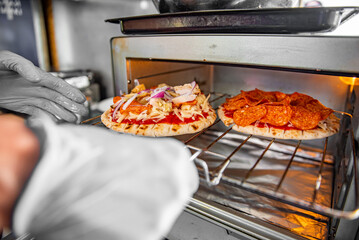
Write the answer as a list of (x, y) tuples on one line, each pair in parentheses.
[(19, 152)]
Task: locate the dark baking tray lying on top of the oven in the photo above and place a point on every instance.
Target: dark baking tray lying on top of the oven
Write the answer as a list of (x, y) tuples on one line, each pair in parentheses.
[(279, 20)]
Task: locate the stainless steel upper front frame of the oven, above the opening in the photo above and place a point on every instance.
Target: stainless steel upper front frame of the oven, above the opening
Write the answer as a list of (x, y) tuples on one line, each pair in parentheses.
[(312, 53)]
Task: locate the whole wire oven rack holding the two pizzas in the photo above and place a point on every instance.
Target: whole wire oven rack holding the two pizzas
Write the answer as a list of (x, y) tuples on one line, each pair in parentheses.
[(214, 177)]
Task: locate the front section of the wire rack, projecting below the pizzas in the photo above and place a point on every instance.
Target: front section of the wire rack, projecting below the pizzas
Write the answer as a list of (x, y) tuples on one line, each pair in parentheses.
[(214, 177)]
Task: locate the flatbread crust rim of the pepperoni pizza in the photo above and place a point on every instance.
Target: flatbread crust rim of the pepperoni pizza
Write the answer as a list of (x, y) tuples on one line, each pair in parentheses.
[(325, 128)]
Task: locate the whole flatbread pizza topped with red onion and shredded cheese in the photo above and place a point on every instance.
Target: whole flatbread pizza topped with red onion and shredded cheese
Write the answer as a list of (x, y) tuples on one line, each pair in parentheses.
[(160, 111)]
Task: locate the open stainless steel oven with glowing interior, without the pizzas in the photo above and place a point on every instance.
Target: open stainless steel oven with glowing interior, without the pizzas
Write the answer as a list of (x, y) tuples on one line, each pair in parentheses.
[(255, 187)]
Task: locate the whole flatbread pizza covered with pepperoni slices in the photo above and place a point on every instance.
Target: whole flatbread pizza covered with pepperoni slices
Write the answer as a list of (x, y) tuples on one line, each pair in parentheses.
[(279, 115)]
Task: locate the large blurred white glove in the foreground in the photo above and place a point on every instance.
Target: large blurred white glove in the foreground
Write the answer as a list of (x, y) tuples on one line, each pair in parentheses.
[(92, 183)]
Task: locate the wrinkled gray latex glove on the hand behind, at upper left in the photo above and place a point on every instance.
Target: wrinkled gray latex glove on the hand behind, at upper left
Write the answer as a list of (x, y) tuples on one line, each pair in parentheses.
[(27, 89)]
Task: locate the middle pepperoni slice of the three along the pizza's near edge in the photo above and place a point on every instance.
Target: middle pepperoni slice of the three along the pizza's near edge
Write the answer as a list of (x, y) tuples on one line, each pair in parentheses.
[(277, 115)]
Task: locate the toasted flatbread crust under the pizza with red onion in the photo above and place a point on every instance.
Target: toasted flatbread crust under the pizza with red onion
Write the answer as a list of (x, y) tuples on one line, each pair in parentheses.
[(161, 129)]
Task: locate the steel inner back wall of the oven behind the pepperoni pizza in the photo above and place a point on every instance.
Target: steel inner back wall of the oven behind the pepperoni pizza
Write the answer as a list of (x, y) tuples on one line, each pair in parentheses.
[(329, 90)]
